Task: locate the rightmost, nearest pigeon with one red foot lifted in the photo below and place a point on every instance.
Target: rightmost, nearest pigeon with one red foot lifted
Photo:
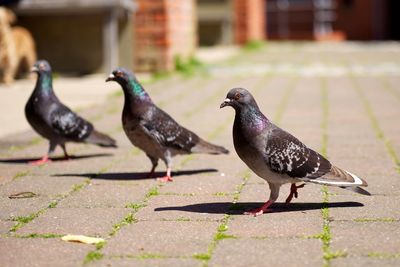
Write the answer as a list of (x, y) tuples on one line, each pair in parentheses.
[(277, 156)]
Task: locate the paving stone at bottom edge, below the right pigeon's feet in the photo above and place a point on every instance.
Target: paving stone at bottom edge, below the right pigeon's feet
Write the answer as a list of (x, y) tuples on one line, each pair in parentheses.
[(267, 252)]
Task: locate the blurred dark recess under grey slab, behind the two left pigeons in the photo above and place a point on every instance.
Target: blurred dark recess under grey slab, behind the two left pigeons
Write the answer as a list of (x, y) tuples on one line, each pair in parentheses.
[(80, 37)]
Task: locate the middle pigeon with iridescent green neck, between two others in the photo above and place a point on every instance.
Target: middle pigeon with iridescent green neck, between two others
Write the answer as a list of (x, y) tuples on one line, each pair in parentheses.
[(154, 131)]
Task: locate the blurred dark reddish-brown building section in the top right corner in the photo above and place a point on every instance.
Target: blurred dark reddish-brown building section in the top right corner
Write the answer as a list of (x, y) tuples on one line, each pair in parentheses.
[(332, 19)]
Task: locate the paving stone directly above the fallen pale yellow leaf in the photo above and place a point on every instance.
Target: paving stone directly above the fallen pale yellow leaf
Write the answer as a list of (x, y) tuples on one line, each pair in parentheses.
[(82, 221)]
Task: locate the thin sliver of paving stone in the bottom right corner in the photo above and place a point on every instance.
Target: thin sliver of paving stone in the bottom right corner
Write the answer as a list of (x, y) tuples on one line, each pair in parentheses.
[(358, 261)]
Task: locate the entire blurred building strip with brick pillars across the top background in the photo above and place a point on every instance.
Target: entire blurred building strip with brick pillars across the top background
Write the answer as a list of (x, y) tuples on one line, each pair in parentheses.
[(86, 36)]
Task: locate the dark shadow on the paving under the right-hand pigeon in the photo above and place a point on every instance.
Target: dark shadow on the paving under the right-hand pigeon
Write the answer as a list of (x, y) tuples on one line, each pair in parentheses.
[(241, 207)]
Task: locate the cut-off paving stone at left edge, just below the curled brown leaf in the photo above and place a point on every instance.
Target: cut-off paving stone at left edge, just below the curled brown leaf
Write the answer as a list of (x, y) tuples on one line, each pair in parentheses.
[(13, 208)]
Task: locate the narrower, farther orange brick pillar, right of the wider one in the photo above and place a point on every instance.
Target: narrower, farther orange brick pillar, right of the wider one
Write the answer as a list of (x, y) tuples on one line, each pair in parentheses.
[(249, 22)]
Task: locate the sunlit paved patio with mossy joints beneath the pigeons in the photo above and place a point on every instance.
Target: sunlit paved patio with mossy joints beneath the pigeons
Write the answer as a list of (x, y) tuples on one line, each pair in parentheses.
[(340, 99)]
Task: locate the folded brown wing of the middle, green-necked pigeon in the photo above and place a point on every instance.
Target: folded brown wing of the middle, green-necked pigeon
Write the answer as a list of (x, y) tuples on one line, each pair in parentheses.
[(168, 132)]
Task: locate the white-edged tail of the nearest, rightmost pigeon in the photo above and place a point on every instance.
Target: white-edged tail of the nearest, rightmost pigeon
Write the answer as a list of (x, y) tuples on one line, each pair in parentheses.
[(342, 179)]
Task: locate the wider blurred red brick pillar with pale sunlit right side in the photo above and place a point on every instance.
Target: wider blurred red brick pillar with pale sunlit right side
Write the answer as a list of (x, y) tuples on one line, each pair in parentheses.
[(163, 29)]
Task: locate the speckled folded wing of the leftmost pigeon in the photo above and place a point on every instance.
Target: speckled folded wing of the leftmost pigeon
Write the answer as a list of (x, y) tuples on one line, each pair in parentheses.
[(69, 125)]
